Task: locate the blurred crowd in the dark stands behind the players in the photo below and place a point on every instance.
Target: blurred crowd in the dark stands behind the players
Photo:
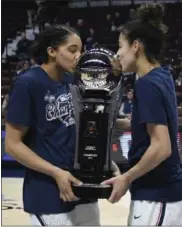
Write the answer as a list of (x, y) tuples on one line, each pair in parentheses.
[(104, 32)]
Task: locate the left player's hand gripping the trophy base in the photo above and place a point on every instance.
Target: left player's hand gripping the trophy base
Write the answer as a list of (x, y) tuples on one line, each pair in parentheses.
[(64, 180)]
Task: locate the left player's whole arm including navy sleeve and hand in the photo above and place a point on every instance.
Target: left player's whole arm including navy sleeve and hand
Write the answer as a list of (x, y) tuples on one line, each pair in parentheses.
[(19, 119)]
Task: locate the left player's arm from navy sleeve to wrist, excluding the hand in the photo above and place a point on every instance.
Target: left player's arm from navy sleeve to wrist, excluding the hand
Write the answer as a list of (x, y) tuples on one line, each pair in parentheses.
[(19, 118)]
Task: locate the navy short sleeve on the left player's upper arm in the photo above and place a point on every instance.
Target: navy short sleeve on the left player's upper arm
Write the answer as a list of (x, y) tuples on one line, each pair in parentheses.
[(20, 105)]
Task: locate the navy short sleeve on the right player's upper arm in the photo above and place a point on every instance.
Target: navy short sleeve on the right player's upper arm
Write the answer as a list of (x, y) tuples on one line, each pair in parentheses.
[(151, 106)]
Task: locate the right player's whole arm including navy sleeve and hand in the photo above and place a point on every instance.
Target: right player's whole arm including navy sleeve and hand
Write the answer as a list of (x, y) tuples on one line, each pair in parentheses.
[(159, 148)]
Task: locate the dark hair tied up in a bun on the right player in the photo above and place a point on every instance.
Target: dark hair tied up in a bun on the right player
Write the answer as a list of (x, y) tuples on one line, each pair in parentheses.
[(149, 29)]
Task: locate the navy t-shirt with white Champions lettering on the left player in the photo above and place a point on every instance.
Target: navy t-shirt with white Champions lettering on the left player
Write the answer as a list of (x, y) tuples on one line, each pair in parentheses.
[(45, 106)]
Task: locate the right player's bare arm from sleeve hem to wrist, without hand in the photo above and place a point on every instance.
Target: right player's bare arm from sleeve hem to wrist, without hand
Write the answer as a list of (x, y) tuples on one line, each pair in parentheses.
[(158, 151)]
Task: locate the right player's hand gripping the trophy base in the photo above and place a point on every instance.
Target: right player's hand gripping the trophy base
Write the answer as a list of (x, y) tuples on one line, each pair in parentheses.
[(120, 187)]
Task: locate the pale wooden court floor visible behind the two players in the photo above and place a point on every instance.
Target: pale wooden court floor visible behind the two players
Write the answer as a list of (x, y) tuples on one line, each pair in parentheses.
[(12, 213)]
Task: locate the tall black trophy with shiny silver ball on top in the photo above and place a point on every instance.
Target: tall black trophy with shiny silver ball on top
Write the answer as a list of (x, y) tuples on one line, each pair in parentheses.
[(96, 101)]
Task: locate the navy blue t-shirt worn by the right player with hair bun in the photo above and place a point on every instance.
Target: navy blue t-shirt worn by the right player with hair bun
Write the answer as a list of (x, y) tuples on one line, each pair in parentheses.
[(155, 102)]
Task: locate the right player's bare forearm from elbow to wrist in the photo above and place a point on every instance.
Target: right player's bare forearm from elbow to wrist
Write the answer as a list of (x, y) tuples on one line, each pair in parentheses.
[(150, 160)]
